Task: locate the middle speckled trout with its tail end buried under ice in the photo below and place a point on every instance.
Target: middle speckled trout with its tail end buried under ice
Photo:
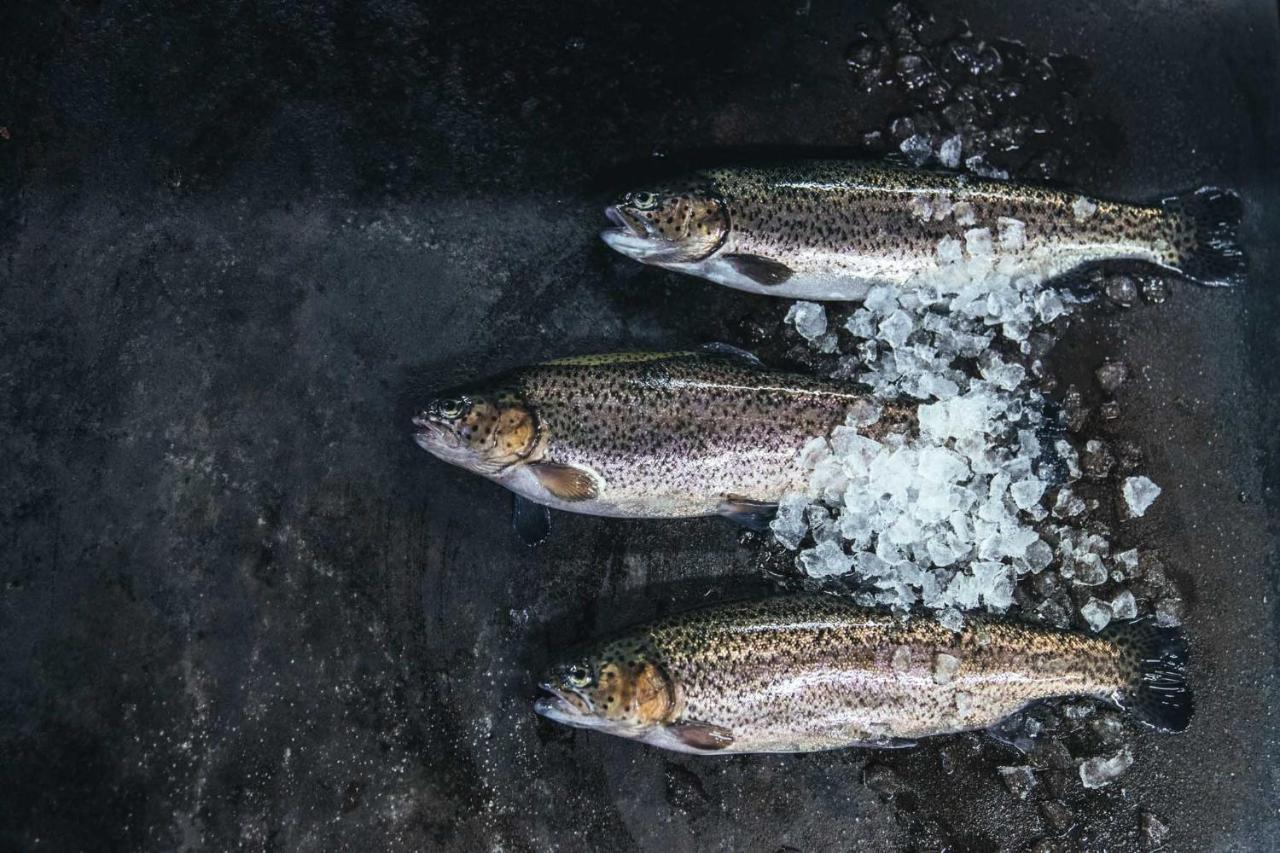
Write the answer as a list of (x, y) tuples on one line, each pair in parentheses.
[(643, 435)]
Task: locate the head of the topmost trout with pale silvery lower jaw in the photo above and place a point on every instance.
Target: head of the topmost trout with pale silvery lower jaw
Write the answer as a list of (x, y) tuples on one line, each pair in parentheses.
[(669, 225)]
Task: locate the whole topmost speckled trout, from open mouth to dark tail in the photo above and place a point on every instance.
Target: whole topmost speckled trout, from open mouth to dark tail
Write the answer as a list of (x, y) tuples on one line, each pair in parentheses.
[(835, 230)]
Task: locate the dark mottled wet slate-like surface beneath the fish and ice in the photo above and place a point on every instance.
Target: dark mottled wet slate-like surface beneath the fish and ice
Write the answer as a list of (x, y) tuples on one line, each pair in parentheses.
[(241, 609)]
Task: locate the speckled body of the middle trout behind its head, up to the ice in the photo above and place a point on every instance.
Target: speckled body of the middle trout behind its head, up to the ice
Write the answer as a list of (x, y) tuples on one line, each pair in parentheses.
[(675, 436)]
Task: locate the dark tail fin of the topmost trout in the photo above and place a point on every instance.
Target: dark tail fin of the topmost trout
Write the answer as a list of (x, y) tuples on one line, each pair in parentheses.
[(1205, 226)]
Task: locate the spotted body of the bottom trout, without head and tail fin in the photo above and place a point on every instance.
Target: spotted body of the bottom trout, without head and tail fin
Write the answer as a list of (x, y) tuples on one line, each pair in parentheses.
[(810, 673)]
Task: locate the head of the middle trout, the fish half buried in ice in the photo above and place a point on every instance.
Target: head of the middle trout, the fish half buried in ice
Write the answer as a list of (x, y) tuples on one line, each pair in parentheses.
[(482, 430)]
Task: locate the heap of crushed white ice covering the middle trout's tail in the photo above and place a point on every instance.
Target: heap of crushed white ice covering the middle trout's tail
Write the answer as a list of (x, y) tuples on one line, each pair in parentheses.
[(950, 516)]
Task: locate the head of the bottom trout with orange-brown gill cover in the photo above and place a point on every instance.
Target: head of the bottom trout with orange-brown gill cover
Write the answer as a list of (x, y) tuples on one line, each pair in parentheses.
[(618, 688)]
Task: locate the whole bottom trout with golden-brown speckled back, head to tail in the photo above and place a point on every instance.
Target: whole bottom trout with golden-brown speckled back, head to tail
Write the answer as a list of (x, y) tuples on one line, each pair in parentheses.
[(811, 673)]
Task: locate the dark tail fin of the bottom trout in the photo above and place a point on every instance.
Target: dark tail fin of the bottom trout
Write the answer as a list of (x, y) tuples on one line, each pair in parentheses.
[(1156, 664)]
